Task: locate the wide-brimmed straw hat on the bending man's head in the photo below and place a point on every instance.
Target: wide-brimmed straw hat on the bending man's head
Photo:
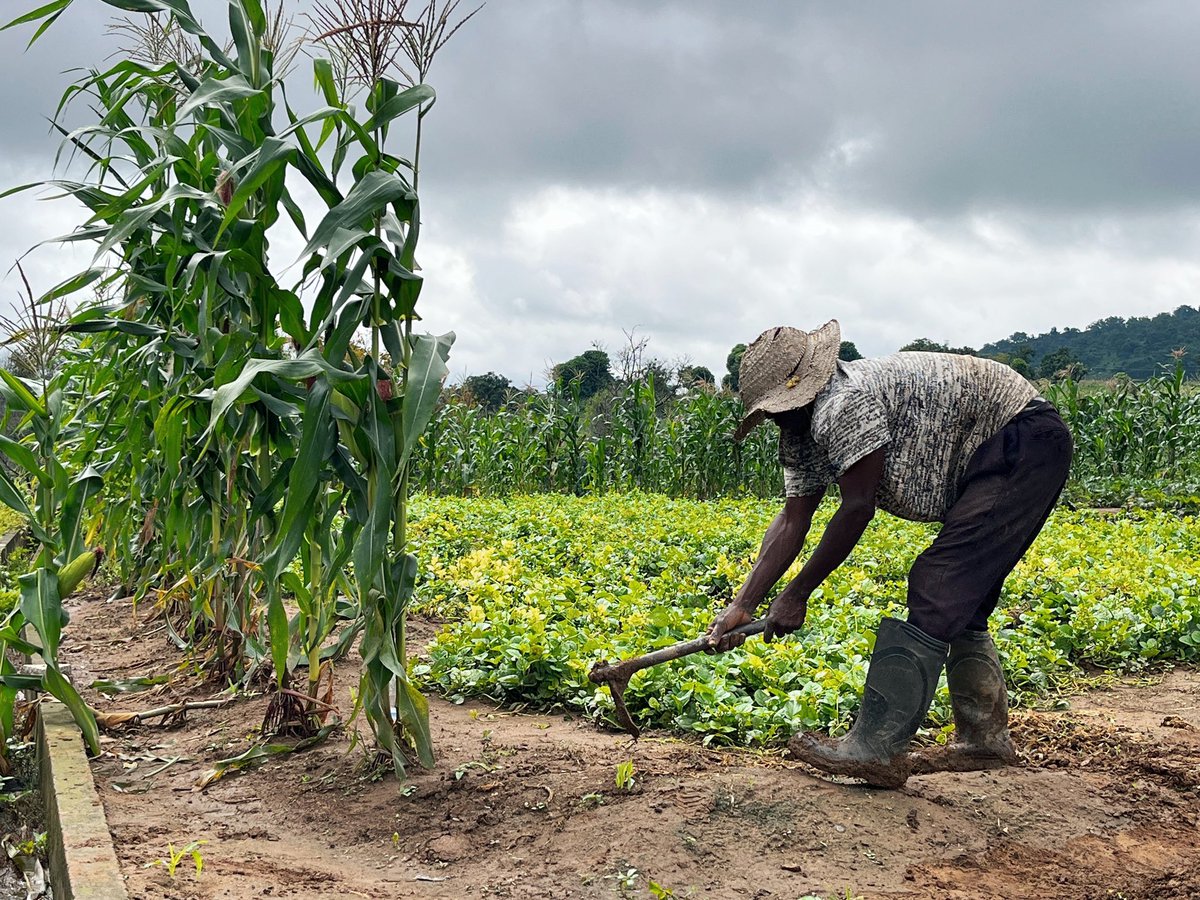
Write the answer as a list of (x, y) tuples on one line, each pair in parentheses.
[(785, 369)]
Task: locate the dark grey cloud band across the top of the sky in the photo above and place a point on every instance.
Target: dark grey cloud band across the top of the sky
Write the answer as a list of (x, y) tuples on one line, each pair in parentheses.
[(1073, 106)]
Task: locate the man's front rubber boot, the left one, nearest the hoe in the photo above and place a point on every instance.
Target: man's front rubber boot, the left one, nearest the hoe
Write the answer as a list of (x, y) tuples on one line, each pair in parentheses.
[(901, 687)]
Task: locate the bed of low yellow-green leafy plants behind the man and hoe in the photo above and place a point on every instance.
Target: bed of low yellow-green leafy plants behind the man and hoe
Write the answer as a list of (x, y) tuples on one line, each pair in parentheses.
[(536, 590)]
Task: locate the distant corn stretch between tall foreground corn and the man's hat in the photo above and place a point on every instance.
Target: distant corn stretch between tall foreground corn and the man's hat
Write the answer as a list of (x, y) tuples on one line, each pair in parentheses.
[(629, 441)]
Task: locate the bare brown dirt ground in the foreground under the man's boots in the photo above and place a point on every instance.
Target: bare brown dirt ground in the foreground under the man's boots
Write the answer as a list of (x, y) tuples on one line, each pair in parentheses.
[(1106, 805)]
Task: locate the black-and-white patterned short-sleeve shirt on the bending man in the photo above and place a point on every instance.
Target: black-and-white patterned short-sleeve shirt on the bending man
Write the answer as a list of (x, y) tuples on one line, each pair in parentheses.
[(931, 411)]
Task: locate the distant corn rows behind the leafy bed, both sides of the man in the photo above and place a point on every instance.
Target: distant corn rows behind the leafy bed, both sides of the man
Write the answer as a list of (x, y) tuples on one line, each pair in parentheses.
[(1133, 439)]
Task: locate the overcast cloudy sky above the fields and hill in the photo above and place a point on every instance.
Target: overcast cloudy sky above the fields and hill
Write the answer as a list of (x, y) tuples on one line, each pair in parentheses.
[(693, 172)]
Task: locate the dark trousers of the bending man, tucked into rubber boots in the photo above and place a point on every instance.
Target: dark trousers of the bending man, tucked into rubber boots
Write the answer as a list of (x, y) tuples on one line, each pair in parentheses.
[(1010, 488)]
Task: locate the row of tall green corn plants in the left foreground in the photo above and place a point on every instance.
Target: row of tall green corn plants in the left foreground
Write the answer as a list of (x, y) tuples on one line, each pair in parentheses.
[(251, 427)]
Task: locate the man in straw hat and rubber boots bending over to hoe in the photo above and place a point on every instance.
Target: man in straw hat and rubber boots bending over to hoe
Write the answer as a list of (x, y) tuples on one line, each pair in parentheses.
[(929, 437)]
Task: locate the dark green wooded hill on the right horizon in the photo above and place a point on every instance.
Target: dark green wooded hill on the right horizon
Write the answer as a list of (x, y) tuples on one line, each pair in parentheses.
[(1141, 347)]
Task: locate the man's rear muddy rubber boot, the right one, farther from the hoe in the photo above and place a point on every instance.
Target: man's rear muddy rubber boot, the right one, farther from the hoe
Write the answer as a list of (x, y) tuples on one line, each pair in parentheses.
[(981, 711)]
